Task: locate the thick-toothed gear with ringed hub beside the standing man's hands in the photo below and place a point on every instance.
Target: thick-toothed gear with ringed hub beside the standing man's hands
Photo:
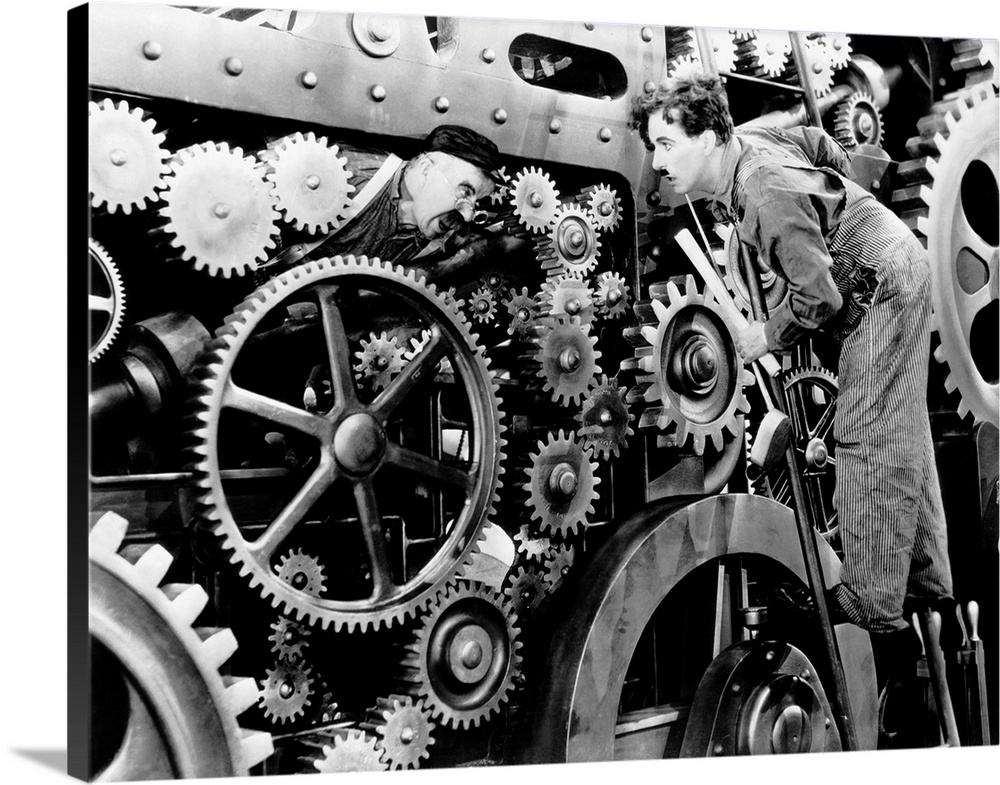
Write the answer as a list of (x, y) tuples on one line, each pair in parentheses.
[(696, 377)]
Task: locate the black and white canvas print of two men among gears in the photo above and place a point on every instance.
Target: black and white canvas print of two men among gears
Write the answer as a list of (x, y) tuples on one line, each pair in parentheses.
[(465, 391)]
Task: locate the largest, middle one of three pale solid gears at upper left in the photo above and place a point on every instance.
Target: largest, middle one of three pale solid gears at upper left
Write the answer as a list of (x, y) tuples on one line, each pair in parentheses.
[(219, 209)]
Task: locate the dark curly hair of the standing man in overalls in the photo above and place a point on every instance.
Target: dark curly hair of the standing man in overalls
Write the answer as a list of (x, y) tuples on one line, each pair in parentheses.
[(699, 100)]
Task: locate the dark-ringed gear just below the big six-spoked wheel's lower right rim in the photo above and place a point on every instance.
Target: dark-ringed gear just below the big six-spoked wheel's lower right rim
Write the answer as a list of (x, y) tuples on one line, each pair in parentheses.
[(464, 656)]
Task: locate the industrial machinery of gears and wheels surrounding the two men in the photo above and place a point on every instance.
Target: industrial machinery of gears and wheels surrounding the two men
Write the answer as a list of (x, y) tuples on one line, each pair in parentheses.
[(494, 506)]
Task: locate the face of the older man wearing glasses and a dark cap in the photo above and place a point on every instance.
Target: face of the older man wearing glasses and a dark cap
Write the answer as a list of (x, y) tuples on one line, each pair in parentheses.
[(450, 188)]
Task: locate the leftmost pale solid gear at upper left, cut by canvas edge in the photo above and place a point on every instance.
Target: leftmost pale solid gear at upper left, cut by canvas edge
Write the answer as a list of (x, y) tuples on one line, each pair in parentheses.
[(127, 159)]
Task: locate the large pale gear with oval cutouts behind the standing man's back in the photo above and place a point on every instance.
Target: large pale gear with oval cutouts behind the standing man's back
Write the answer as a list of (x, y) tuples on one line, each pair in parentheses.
[(955, 216)]
